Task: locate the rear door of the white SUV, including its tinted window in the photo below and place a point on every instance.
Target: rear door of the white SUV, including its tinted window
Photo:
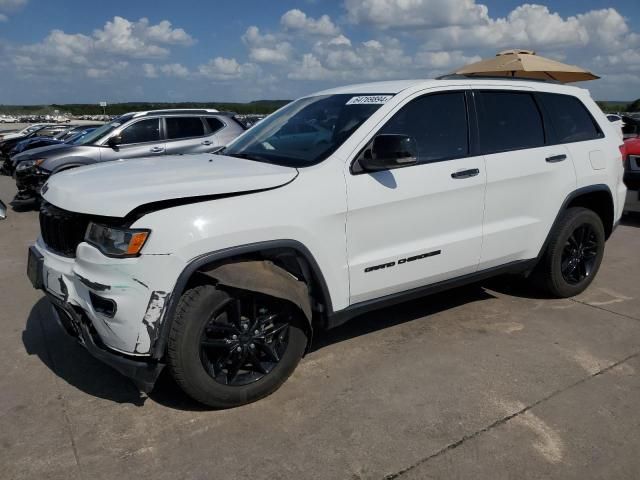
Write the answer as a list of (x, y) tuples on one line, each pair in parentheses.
[(528, 179)]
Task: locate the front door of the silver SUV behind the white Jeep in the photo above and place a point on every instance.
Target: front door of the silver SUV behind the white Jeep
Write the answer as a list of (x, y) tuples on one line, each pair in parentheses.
[(141, 138)]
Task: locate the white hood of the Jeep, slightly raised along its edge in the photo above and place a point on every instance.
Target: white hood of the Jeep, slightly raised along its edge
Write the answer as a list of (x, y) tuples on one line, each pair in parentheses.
[(114, 189)]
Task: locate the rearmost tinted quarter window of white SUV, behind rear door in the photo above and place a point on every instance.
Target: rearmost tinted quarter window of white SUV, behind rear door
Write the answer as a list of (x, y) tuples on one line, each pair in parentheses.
[(571, 120)]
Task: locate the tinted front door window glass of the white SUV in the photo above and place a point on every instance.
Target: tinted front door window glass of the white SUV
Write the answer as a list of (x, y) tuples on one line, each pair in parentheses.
[(437, 122)]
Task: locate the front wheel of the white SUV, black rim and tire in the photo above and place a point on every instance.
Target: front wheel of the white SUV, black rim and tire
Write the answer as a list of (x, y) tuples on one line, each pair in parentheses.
[(231, 347)]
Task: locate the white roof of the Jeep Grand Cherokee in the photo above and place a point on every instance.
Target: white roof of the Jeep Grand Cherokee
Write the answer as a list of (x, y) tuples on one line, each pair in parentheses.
[(396, 86)]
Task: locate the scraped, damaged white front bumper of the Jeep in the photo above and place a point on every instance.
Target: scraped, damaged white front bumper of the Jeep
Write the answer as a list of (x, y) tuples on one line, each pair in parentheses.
[(114, 312)]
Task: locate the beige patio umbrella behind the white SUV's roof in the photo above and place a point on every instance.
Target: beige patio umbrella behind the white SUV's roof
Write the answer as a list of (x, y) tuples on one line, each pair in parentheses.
[(526, 64)]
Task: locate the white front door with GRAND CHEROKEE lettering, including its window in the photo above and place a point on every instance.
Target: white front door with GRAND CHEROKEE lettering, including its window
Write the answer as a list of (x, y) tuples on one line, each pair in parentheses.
[(414, 226)]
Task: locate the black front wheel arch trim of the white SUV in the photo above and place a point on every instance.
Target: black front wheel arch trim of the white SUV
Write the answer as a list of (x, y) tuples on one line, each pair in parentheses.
[(290, 255)]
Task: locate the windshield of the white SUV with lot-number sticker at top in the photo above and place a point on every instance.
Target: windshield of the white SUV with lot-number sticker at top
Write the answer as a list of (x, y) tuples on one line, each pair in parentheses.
[(306, 131)]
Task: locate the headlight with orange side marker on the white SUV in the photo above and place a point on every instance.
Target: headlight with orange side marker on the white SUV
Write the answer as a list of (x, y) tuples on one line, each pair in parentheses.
[(116, 242)]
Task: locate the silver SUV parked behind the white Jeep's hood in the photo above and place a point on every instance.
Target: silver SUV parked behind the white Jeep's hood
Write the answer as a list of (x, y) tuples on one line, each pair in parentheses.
[(133, 135)]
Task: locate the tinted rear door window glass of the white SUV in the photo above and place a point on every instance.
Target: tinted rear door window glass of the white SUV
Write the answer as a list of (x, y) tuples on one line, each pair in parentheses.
[(508, 121)]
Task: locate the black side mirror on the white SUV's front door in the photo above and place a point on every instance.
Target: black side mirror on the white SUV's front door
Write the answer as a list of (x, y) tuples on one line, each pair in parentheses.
[(390, 151)]
